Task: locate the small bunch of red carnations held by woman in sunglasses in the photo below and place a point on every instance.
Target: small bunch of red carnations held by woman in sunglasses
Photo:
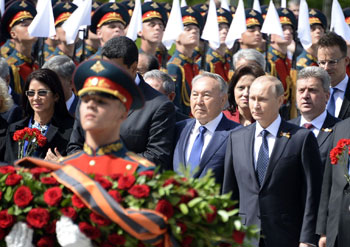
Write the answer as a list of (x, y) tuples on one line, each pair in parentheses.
[(33, 137)]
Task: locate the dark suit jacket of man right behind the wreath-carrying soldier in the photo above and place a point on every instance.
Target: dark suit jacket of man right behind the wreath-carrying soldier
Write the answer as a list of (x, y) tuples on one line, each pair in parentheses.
[(148, 132)]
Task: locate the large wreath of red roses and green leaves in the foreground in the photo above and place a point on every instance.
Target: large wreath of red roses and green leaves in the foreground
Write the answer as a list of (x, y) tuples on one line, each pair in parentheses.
[(196, 214)]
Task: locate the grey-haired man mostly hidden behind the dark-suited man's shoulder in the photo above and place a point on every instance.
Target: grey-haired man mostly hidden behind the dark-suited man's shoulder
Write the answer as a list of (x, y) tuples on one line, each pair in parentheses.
[(164, 84)]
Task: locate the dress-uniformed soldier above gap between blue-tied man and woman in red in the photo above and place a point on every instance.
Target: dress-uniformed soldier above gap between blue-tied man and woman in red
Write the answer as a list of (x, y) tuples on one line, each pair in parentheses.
[(218, 60)]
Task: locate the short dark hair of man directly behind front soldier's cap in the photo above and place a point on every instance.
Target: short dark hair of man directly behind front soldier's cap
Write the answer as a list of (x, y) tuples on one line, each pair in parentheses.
[(121, 47)]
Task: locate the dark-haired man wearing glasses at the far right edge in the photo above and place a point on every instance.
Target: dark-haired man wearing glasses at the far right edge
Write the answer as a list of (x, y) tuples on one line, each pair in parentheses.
[(331, 55)]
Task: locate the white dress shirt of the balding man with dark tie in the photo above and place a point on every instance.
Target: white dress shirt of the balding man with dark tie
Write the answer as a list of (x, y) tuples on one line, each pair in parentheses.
[(271, 137)]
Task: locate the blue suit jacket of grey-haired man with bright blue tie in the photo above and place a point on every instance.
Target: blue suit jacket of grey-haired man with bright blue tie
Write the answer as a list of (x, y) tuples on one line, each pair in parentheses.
[(213, 157)]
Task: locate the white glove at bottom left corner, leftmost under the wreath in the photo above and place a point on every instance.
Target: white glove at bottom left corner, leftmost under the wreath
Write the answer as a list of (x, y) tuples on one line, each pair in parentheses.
[(20, 236)]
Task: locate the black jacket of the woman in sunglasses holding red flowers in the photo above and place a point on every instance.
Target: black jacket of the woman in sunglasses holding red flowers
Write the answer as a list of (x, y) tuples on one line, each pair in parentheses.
[(57, 135)]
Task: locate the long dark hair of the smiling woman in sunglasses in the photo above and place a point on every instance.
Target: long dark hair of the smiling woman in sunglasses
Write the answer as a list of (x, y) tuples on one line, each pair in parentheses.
[(50, 79)]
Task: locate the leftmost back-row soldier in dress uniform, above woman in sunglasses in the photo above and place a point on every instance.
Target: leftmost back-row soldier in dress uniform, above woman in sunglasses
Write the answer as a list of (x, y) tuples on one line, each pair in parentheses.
[(15, 22)]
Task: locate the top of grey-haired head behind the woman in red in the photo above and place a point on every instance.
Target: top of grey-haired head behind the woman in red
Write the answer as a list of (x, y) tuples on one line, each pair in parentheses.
[(248, 56)]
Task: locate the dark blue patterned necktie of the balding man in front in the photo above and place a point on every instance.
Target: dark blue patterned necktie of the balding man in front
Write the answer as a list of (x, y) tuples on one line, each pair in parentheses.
[(263, 157)]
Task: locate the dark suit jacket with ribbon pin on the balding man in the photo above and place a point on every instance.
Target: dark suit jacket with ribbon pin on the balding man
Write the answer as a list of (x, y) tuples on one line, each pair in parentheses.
[(285, 206)]
